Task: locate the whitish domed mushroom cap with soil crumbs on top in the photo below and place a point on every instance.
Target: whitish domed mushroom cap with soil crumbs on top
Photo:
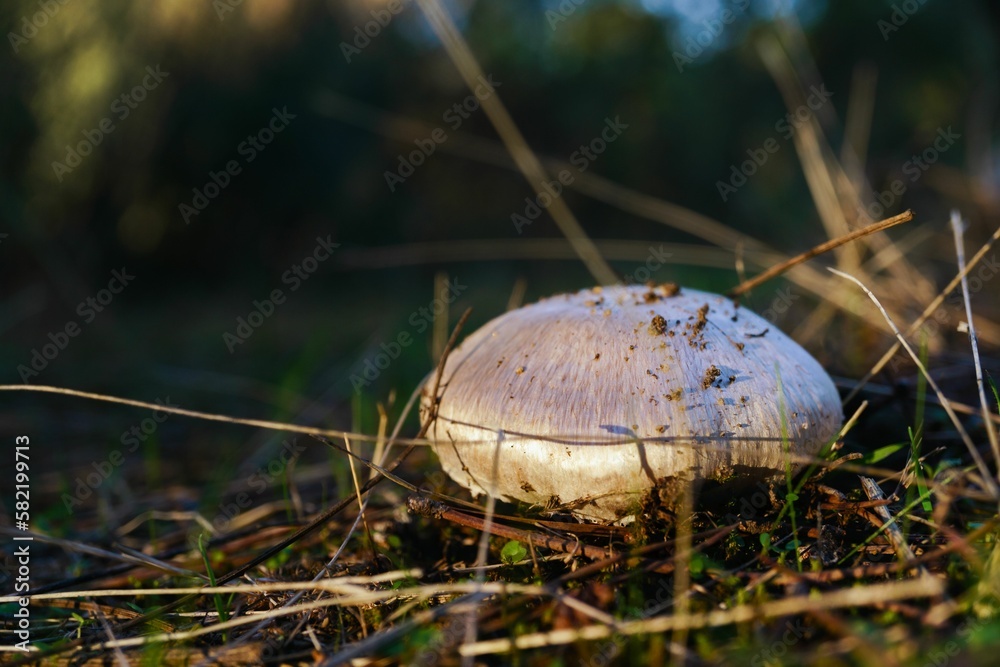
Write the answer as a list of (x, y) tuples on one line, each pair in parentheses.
[(589, 400)]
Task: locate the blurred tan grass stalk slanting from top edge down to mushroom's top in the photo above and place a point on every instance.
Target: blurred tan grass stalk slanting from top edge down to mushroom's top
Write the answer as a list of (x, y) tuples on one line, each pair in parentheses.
[(529, 165)]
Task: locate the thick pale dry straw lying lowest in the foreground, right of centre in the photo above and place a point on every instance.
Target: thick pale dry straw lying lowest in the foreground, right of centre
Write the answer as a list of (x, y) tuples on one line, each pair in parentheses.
[(841, 599)]
